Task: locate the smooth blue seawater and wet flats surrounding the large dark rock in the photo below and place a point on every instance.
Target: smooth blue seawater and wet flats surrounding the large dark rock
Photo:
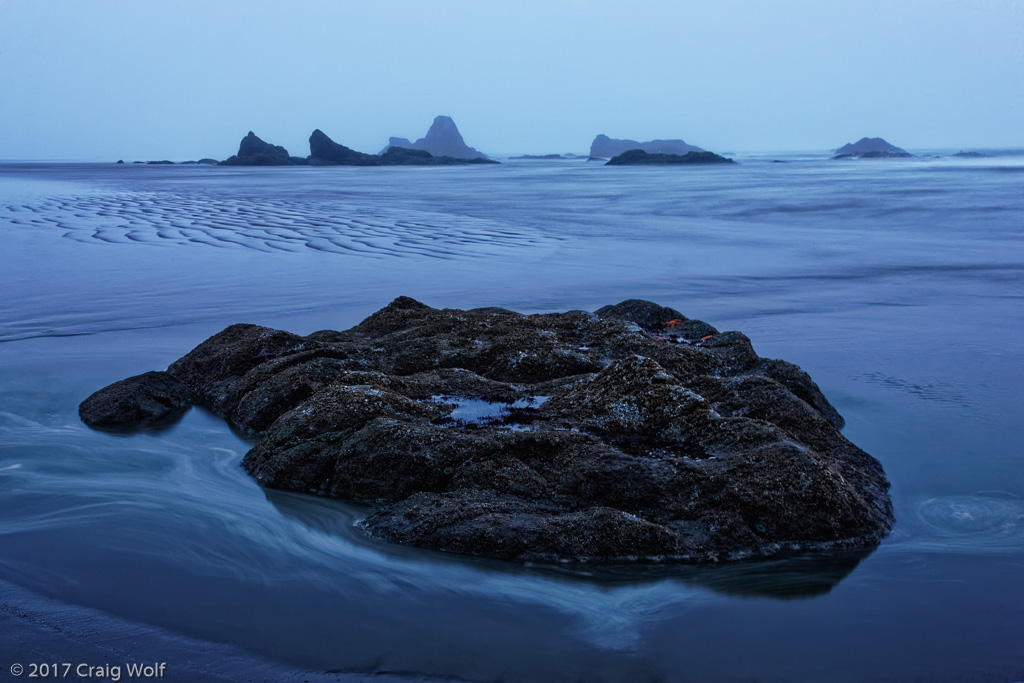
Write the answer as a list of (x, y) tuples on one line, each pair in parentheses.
[(898, 285)]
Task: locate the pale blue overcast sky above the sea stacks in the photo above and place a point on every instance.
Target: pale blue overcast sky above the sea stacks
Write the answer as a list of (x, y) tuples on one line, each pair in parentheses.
[(111, 79)]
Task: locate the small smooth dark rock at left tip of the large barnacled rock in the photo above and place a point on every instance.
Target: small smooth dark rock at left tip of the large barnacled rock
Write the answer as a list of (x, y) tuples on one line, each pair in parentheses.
[(137, 401)]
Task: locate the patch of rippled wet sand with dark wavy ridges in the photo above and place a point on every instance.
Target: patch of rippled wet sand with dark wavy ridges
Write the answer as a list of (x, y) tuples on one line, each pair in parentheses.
[(271, 225)]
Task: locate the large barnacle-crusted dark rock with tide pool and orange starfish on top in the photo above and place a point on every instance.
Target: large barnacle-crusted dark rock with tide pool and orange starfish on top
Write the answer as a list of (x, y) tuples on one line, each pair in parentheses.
[(629, 435)]
